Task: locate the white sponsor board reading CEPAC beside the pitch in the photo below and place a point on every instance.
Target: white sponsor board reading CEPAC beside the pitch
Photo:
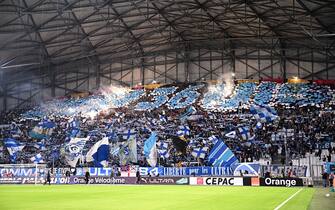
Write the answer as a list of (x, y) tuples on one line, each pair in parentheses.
[(222, 181)]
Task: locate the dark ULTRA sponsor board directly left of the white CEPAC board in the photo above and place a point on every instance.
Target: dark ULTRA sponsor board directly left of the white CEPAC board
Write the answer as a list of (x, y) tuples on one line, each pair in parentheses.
[(165, 180)]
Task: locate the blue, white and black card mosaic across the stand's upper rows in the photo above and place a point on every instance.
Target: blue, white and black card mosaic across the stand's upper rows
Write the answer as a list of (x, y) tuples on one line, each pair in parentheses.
[(217, 97)]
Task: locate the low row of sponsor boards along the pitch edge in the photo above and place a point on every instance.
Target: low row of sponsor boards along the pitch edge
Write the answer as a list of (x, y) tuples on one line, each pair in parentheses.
[(204, 181)]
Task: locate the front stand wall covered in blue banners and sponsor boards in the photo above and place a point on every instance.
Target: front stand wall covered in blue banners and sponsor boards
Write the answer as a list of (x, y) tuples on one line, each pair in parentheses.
[(12, 174)]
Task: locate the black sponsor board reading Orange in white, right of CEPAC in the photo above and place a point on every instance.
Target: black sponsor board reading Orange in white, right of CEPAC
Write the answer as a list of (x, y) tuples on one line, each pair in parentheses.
[(281, 182)]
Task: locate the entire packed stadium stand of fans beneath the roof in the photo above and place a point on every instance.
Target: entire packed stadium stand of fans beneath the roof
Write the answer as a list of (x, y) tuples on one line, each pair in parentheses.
[(187, 118)]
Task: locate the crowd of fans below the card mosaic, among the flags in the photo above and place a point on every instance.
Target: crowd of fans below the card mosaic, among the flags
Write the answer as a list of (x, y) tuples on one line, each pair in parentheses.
[(299, 130)]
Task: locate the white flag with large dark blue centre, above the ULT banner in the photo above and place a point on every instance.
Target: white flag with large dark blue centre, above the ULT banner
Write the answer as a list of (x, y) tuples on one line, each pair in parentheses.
[(99, 153)]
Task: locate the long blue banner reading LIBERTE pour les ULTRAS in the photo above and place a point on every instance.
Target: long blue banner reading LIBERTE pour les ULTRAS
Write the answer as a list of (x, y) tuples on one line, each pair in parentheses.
[(185, 171)]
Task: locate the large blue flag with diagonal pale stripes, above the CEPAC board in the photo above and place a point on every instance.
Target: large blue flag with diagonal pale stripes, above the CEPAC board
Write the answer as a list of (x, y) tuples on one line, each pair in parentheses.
[(221, 155)]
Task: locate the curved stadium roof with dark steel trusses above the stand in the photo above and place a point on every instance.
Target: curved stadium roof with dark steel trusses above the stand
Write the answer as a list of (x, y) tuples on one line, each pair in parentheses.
[(35, 33)]
